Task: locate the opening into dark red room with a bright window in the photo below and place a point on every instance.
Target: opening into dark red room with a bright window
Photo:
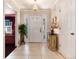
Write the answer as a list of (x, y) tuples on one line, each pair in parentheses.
[(9, 34)]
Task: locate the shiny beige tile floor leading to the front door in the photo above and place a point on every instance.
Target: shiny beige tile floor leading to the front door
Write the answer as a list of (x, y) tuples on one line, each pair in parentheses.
[(34, 51)]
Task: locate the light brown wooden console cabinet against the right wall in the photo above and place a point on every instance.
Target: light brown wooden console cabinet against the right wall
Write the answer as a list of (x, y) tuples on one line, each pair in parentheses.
[(53, 42)]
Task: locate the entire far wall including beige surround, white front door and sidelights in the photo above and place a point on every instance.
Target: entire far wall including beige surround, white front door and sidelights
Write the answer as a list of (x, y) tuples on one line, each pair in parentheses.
[(37, 25)]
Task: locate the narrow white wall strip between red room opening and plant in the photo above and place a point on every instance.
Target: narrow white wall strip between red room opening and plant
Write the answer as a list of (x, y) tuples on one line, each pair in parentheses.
[(17, 22)]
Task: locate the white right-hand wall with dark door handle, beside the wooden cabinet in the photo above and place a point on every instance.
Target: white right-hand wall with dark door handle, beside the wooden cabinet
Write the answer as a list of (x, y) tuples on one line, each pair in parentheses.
[(67, 25)]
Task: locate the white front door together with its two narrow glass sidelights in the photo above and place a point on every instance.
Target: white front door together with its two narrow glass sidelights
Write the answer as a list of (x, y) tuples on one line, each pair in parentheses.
[(36, 27)]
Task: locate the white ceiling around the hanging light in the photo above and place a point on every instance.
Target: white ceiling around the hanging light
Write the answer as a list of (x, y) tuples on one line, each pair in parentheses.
[(28, 4)]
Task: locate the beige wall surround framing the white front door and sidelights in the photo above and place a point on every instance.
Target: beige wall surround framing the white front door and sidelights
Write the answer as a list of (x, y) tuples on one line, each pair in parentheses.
[(25, 13)]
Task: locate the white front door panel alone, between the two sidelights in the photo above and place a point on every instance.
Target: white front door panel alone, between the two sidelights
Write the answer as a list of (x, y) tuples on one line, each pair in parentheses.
[(35, 23)]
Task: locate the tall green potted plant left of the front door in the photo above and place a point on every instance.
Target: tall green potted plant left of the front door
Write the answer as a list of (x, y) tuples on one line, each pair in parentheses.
[(23, 32)]
